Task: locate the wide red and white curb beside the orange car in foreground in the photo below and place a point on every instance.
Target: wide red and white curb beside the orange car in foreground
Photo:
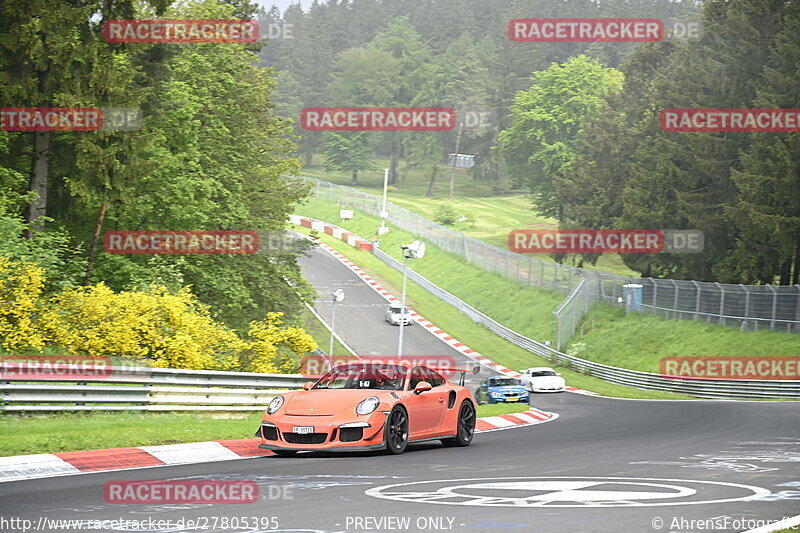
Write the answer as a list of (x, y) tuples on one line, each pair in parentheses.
[(22, 467)]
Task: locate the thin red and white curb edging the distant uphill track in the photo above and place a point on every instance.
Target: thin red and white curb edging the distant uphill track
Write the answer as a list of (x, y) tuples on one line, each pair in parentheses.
[(460, 347)]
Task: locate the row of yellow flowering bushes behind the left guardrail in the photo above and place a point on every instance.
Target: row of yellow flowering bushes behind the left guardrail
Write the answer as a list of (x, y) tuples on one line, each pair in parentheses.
[(167, 329)]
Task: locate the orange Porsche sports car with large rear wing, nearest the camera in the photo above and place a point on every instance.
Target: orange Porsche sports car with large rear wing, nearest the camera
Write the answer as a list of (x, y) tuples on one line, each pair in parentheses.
[(368, 405)]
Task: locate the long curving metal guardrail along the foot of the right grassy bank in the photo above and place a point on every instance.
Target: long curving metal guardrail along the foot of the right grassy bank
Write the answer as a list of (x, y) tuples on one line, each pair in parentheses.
[(643, 380)]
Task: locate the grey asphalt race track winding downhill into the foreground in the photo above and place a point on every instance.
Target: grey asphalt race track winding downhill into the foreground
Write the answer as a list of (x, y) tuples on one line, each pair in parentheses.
[(605, 465)]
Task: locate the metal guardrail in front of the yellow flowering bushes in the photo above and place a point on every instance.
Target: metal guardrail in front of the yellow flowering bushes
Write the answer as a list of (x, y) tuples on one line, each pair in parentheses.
[(147, 389)]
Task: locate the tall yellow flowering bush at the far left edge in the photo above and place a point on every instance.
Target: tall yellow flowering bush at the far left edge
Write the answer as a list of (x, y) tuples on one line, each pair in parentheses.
[(21, 285)]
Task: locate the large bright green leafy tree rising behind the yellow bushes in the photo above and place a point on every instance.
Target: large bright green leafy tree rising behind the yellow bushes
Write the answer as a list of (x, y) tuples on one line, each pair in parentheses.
[(223, 159)]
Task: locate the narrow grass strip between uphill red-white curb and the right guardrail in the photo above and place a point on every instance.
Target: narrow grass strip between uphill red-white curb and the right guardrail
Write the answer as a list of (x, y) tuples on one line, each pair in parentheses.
[(474, 335)]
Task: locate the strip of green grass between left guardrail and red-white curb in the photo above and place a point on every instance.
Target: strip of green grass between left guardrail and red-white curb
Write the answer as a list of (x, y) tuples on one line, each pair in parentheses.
[(63, 432)]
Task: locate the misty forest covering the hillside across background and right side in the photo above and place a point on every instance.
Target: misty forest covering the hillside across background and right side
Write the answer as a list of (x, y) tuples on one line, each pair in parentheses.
[(592, 153)]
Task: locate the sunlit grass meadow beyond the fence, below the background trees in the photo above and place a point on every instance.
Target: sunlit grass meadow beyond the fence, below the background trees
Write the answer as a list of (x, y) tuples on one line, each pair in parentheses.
[(492, 217)]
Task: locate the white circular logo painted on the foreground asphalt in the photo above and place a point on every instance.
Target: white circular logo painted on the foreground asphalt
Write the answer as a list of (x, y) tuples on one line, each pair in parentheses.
[(585, 492)]
